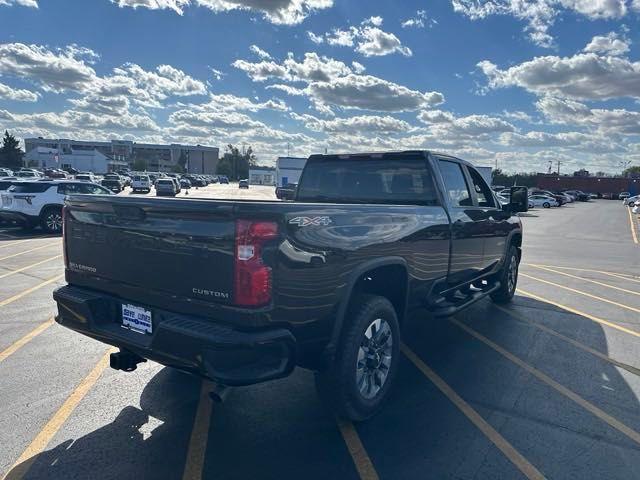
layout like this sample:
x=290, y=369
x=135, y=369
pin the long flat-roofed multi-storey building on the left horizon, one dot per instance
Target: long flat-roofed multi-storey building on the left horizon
x=119, y=153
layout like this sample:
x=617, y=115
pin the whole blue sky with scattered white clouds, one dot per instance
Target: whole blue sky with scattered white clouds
x=520, y=83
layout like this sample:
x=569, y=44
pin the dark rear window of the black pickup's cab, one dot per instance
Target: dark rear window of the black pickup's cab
x=396, y=180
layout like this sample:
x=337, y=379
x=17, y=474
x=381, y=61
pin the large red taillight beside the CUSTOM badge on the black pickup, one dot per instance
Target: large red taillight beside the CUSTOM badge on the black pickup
x=252, y=286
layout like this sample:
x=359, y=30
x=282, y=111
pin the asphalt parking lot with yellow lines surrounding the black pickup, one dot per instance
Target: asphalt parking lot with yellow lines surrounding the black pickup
x=546, y=387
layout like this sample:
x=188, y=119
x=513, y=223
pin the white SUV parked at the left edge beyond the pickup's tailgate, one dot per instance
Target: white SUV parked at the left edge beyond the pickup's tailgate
x=41, y=202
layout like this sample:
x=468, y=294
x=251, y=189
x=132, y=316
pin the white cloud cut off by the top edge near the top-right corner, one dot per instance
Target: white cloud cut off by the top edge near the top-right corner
x=540, y=15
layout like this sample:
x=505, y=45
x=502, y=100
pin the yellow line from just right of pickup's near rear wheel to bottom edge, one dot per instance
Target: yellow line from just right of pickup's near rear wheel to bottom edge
x=527, y=469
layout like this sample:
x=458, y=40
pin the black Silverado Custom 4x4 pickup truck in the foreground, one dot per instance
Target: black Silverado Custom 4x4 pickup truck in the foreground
x=242, y=292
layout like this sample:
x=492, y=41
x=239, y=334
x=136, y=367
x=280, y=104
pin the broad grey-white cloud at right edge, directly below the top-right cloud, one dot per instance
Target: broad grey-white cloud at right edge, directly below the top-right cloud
x=582, y=76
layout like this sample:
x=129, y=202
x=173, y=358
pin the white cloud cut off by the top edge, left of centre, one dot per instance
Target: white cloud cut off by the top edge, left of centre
x=283, y=12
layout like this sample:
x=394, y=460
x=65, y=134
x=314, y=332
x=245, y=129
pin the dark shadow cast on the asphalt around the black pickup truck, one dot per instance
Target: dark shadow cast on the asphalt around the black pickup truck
x=280, y=430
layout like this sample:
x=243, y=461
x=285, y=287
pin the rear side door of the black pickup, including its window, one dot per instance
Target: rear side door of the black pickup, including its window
x=467, y=245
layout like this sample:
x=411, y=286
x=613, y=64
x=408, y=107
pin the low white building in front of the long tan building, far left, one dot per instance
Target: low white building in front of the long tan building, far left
x=81, y=160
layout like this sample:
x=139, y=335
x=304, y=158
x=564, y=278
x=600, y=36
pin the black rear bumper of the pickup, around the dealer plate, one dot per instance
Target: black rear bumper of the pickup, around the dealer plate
x=190, y=343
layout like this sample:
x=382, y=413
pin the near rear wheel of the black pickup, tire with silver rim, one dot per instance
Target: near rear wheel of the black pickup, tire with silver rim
x=339, y=384
